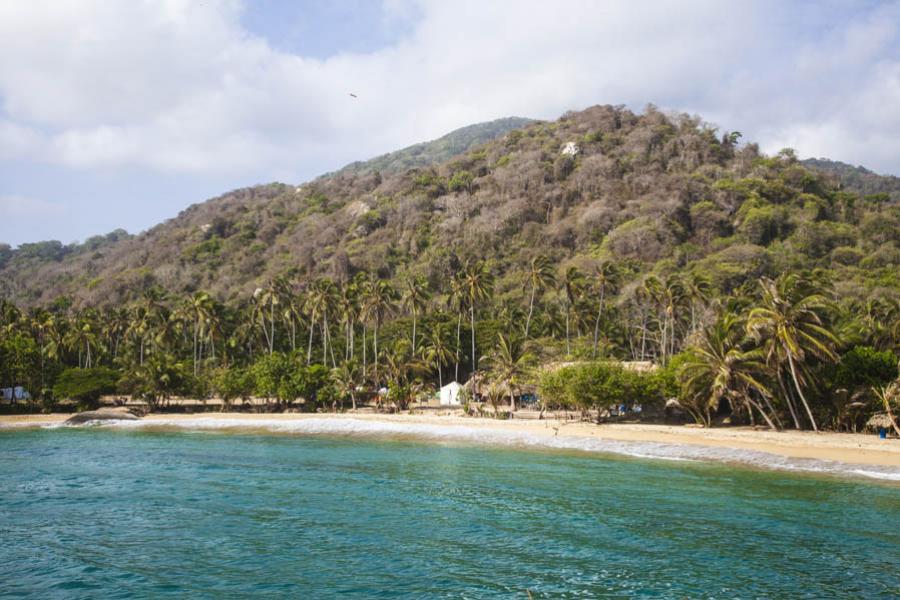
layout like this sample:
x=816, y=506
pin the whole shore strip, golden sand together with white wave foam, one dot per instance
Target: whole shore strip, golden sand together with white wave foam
x=849, y=453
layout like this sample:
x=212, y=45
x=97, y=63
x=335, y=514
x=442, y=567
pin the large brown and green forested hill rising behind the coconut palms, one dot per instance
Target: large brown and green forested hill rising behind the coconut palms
x=651, y=192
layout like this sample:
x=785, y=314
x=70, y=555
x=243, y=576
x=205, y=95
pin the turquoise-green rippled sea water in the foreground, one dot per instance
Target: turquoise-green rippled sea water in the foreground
x=138, y=513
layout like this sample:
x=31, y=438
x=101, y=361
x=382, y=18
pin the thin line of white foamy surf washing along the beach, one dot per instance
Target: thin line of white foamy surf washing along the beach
x=497, y=436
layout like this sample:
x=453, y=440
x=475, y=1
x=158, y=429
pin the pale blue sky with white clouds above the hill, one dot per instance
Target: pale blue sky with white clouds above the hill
x=121, y=113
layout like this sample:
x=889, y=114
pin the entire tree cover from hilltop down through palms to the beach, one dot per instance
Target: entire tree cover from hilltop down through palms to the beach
x=760, y=290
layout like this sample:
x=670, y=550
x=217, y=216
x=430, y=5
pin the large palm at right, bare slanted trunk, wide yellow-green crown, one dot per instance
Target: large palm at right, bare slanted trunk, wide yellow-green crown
x=791, y=324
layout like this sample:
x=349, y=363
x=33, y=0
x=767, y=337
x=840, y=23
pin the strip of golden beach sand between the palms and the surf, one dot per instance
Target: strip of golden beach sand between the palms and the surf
x=852, y=449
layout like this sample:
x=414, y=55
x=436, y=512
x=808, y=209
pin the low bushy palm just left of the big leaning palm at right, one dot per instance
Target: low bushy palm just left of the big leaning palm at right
x=720, y=368
